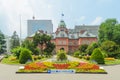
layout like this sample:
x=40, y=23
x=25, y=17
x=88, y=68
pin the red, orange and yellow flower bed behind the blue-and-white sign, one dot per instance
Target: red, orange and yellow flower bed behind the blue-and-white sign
x=46, y=66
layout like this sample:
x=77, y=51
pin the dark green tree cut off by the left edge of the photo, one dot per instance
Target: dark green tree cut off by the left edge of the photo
x=2, y=43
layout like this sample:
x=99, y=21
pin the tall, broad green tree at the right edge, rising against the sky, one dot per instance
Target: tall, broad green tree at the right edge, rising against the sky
x=109, y=30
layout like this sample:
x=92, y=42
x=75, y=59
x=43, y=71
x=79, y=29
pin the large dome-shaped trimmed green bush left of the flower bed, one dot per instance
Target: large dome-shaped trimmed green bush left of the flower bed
x=25, y=55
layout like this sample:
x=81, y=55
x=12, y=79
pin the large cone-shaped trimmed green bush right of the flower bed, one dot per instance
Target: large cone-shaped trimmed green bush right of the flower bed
x=97, y=56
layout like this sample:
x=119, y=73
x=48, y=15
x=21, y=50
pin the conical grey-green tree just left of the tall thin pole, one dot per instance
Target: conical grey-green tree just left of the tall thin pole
x=14, y=40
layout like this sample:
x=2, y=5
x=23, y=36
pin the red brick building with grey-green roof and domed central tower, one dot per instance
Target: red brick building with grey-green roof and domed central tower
x=70, y=41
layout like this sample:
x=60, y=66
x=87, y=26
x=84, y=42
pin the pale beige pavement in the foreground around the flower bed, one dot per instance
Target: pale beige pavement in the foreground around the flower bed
x=7, y=72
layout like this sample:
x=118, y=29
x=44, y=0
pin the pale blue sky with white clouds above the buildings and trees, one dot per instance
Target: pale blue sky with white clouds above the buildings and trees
x=76, y=12
